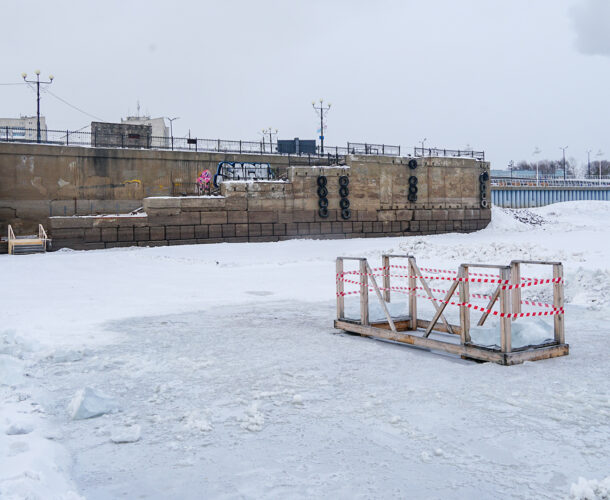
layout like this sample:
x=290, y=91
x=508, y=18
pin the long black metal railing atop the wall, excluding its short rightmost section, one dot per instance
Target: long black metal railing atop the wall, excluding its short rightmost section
x=136, y=140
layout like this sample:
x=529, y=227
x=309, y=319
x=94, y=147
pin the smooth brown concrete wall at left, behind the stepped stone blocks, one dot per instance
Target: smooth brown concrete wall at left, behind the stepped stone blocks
x=38, y=181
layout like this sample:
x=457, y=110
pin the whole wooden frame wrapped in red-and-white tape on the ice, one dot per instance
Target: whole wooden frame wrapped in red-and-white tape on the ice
x=416, y=331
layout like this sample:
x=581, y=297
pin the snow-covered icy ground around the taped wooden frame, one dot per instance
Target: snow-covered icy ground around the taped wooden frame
x=222, y=376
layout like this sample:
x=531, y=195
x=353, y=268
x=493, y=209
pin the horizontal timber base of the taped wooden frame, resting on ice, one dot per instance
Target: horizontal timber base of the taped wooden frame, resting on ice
x=382, y=330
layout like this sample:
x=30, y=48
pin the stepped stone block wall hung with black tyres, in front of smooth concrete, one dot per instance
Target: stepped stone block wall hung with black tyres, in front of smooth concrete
x=448, y=201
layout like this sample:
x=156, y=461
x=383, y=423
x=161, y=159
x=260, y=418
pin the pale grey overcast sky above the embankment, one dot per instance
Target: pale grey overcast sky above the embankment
x=501, y=76
